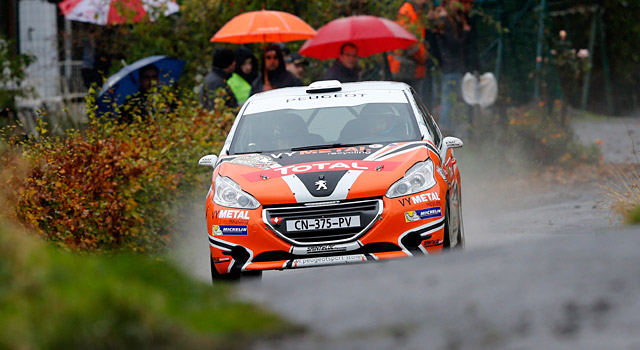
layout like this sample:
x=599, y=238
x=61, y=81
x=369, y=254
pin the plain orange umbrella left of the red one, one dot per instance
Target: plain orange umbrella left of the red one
x=264, y=26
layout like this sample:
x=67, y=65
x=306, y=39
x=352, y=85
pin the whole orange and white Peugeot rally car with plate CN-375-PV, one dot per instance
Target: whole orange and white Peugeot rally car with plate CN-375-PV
x=331, y=174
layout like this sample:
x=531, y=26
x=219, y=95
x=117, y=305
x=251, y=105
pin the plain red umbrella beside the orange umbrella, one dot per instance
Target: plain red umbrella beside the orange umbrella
x=370, y=34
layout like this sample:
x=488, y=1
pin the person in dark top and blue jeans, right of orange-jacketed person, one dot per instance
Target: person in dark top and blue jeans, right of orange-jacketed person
x=452, y=36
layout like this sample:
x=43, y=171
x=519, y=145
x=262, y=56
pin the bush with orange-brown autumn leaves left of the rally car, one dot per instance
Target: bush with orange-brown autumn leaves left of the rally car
x=118, y=186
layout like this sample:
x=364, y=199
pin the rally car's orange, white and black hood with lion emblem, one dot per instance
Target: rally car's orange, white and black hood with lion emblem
x=323, y=175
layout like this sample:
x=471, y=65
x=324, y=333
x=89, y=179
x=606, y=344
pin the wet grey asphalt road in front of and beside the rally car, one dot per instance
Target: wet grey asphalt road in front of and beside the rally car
x=542, y=270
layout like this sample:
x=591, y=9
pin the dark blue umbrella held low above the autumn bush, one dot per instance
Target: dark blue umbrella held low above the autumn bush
x=125, y=83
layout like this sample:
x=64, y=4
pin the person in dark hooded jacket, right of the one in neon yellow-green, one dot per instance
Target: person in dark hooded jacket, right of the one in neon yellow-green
x=274, y=74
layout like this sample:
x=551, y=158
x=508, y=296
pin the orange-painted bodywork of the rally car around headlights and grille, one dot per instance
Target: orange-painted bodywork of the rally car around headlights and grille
x=400, y=217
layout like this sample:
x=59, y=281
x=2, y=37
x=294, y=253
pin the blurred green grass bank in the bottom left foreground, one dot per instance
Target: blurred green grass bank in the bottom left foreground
x=55, y=299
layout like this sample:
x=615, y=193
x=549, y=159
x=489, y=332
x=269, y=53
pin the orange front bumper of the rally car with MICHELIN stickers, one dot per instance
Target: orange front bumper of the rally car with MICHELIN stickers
x=245, y=240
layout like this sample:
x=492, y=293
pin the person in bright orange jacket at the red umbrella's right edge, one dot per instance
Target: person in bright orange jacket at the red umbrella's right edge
x=410, y=65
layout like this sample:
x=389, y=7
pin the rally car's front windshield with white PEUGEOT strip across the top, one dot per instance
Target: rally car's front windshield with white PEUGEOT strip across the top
x=317, y=125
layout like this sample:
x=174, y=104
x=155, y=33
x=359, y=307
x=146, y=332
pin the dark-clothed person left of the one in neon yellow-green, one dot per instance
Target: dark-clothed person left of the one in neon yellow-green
x=224, y=63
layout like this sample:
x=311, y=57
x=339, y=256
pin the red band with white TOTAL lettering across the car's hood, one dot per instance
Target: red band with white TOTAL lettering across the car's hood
x=361, y=165
